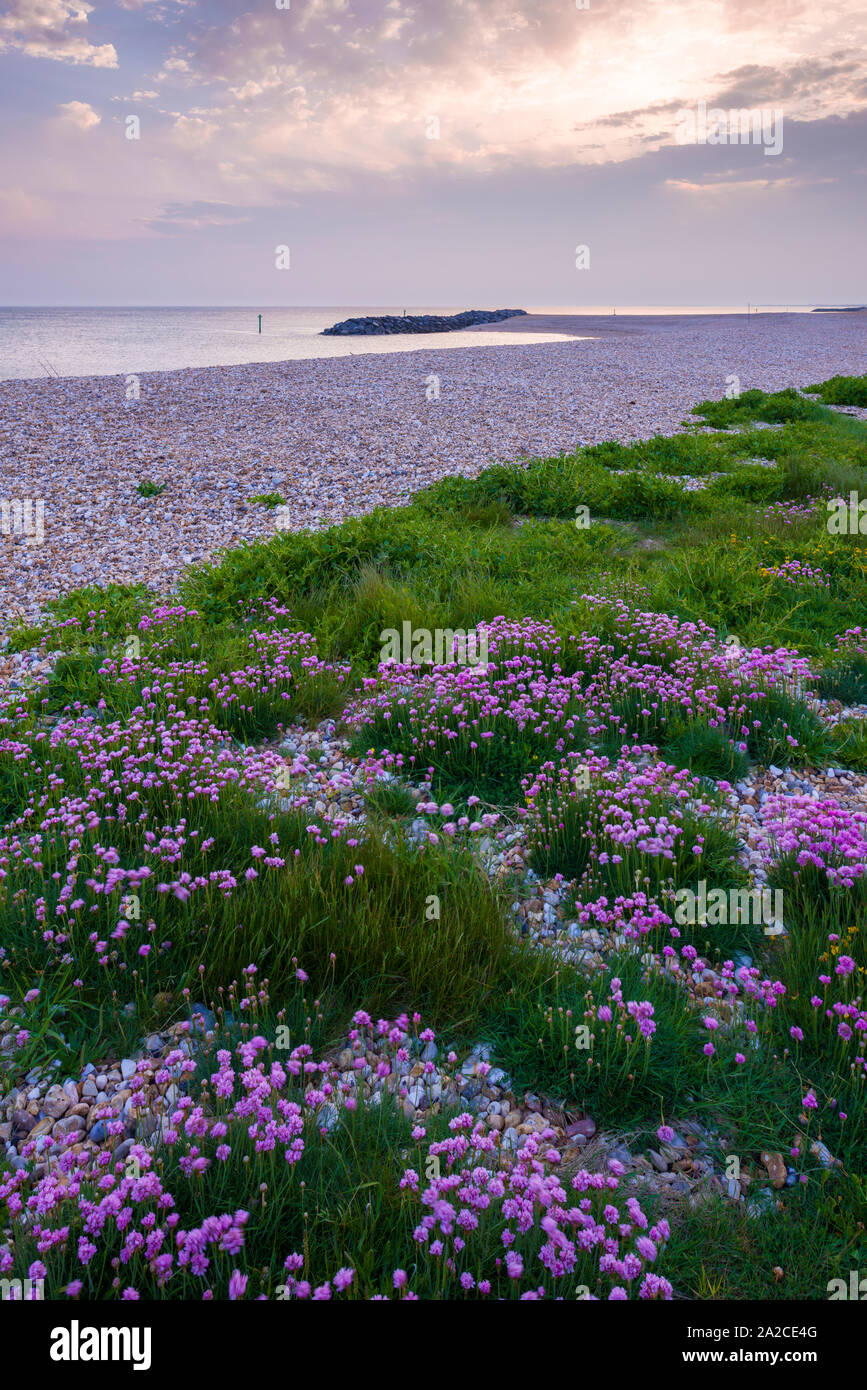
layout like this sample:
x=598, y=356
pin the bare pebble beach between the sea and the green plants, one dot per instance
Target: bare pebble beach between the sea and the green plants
x=341, y=436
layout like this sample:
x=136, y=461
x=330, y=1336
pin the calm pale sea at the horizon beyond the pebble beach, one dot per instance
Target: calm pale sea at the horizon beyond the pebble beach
x=104, y=343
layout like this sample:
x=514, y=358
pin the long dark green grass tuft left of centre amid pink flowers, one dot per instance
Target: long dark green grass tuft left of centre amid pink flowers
x=390, y=953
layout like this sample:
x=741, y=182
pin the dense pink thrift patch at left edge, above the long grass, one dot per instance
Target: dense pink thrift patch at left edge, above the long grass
x=113, y=815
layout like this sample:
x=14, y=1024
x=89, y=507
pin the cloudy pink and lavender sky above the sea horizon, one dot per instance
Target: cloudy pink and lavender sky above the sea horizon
x=469, y=154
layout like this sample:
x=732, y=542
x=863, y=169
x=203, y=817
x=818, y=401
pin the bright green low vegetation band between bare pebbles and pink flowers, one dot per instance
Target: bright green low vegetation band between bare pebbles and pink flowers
x=455, y=557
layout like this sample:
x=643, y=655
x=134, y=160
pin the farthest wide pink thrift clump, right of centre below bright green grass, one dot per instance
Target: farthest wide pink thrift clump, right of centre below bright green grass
x=650, y=673
